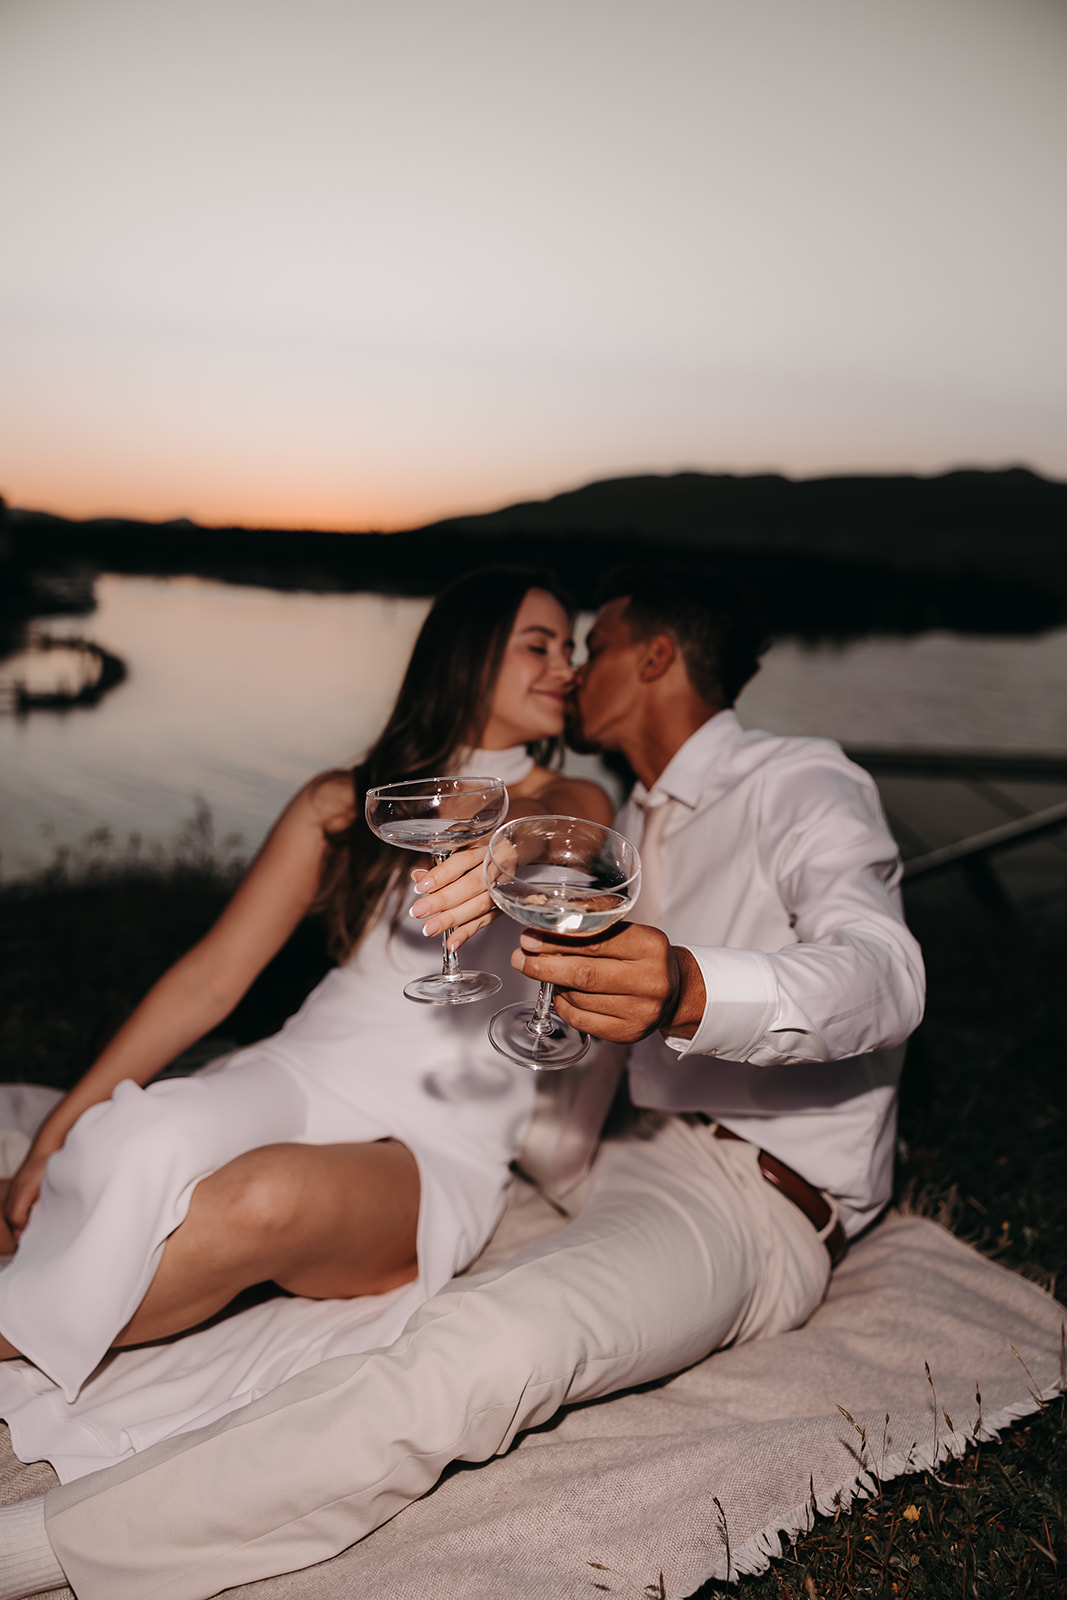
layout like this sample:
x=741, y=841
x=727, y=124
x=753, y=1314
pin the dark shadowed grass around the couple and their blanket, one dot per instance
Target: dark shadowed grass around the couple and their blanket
x=981, y=1148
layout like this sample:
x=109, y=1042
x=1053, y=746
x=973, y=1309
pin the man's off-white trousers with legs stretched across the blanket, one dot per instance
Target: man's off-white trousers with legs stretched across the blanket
x=682, y=1247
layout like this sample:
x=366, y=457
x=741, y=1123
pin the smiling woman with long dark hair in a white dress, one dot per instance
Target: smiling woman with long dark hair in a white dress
x=364, y=1151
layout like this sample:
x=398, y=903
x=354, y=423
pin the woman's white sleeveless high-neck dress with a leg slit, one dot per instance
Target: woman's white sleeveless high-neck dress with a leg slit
x=358, y=1062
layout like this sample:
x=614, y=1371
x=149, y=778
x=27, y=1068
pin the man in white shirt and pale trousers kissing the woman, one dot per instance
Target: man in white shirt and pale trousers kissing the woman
x=767, y=1026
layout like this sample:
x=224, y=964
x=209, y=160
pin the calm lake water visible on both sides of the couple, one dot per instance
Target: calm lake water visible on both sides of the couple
x=238, y=695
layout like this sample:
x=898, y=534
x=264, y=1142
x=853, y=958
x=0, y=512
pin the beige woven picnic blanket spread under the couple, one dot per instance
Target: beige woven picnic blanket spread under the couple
x=697, y=1478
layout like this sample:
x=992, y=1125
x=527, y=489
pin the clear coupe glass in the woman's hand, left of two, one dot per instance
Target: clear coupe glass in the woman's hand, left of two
x=438, y=817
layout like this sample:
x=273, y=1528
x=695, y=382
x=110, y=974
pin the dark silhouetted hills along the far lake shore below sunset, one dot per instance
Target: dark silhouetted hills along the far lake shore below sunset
x=833, y=558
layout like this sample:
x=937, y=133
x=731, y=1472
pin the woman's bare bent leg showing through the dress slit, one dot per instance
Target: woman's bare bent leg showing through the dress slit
x=329, y=1222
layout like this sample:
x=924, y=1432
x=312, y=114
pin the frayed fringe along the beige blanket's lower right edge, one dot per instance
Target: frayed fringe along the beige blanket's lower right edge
x=762, y=1548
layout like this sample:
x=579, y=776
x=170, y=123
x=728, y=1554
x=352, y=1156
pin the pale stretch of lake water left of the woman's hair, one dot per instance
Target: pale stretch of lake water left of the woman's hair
x=236, y=695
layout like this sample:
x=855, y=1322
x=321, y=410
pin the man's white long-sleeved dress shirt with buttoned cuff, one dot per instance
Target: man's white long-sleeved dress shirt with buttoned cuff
x=781, y=878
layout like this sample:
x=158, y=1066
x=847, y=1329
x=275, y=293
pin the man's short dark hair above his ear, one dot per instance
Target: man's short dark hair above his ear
x=714, y=623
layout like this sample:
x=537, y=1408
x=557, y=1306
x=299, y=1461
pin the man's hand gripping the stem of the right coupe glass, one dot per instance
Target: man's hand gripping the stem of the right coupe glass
x=621, y=986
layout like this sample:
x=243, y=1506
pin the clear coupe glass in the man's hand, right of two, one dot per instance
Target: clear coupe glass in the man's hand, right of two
x=565, y=876
